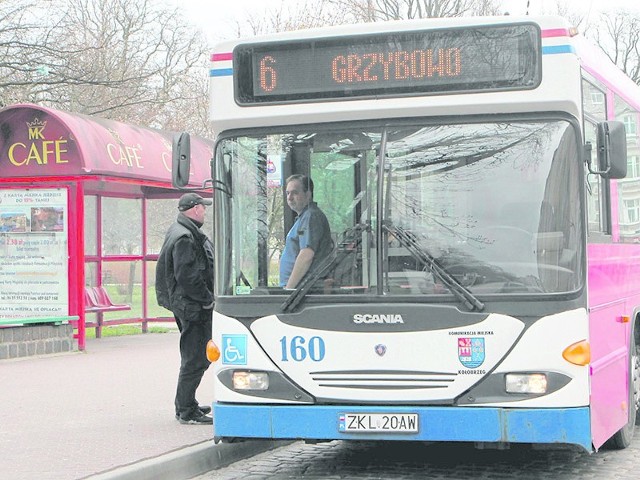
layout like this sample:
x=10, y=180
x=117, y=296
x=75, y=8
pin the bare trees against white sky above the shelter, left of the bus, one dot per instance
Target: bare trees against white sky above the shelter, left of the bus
x=136, y=61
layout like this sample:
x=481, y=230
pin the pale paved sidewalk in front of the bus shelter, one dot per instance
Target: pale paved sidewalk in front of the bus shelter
x=74, y=415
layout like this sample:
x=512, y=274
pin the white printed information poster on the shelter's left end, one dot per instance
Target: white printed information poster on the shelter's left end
x=33, y=253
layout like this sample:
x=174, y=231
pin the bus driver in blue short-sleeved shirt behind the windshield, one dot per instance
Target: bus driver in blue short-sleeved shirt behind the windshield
x=309, y=240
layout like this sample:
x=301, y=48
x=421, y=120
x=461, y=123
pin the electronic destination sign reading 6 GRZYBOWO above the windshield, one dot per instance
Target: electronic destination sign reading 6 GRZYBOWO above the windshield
x=474, y=59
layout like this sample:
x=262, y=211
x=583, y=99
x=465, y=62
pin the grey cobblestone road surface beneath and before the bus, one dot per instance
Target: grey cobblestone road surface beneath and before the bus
x=400, y=460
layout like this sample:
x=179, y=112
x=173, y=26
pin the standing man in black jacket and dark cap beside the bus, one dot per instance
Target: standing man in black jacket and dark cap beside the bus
x=184, y=285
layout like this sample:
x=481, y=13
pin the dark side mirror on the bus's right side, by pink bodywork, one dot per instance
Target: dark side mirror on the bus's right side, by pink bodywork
x=612, y=150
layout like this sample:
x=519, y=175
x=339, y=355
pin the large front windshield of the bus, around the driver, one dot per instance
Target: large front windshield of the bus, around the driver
x=487, y=205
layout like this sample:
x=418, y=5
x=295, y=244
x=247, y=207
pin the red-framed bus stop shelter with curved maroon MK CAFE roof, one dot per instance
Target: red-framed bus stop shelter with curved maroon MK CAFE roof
x=84, y=206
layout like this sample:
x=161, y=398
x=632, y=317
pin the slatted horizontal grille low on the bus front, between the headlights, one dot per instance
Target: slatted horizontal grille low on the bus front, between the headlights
x=383, y=379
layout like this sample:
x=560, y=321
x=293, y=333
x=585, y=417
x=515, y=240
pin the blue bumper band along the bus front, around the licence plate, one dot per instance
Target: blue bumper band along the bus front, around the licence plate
x=459, y=424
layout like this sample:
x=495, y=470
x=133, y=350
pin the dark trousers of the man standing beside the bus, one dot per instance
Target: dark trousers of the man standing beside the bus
x=194, y=335
